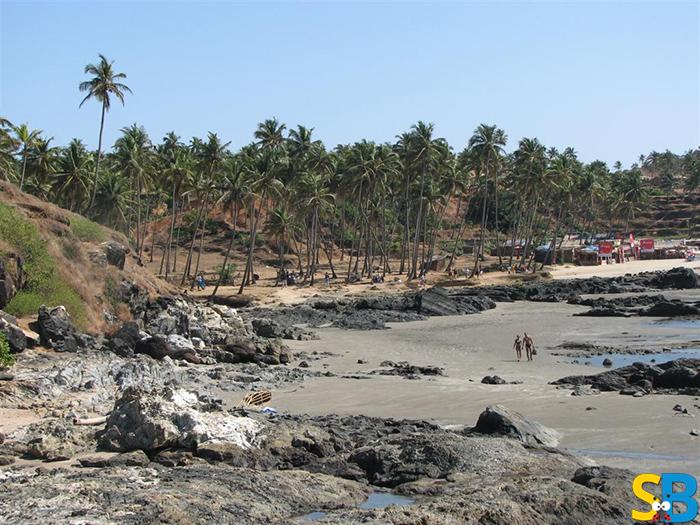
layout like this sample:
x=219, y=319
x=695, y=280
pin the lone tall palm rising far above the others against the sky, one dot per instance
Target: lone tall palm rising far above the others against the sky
x=104, y=84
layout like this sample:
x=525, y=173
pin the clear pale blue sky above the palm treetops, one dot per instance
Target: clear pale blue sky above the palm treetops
x=612, y=79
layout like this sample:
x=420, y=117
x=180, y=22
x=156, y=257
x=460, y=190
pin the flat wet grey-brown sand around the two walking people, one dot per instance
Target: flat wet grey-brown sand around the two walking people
x=643, y=434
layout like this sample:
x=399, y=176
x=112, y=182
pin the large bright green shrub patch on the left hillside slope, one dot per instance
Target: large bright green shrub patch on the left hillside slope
x=44, y=284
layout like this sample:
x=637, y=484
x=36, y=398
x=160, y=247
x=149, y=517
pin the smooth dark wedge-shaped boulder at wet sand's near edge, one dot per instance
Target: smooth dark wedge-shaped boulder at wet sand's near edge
x=497, y=419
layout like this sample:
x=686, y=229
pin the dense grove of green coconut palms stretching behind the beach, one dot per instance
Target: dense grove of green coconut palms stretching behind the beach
x=385, y=208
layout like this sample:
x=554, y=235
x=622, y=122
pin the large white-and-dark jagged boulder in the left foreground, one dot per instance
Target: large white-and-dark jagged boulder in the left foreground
x=170, y=418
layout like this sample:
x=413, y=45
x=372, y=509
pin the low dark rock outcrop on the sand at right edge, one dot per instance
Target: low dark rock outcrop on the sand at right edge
x=681, y=376
